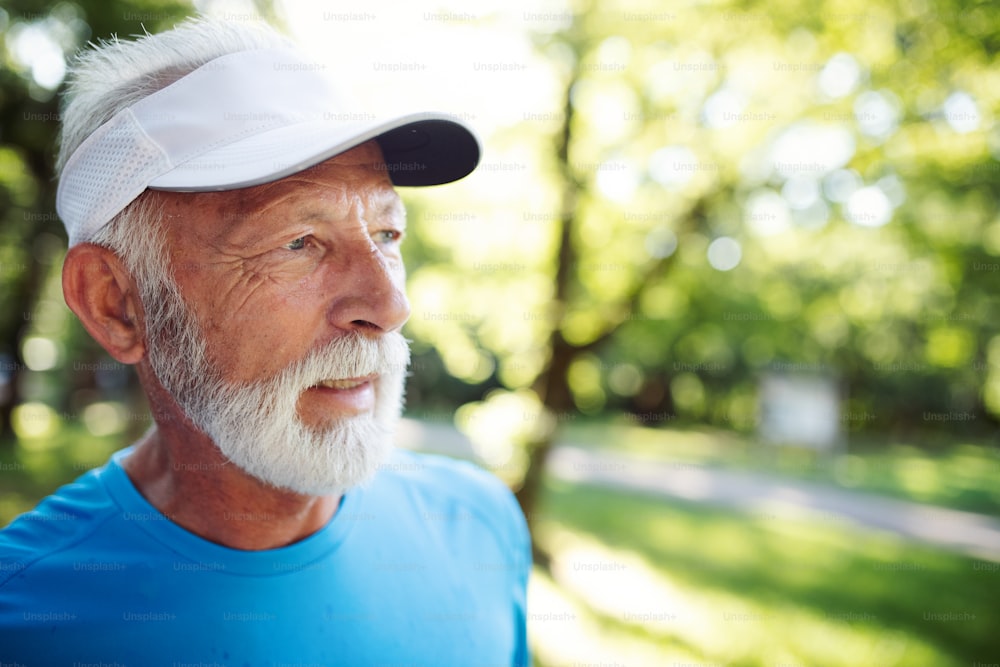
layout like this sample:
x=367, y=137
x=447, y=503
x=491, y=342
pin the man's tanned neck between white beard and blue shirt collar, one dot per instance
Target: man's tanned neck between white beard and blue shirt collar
x=181, y=472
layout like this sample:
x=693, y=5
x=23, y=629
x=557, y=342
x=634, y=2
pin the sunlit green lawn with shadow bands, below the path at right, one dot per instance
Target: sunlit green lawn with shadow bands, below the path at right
x=638, y=580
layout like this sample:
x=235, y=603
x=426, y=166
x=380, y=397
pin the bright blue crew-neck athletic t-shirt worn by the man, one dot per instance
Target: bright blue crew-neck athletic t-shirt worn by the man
x=427, y=565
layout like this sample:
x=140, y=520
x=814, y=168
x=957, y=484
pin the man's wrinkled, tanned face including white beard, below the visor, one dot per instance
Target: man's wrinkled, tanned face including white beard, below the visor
x=286, y=350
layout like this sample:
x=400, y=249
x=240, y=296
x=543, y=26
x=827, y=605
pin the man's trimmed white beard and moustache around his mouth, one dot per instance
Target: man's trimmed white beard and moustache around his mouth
x=256, y=425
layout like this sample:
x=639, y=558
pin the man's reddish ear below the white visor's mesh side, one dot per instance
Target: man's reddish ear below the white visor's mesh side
x=100, y=290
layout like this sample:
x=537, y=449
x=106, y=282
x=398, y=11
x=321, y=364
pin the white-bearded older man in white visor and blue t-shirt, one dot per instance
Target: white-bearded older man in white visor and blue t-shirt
x=235, y=234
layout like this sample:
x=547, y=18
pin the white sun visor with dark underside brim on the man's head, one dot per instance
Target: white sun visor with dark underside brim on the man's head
x=244, y=119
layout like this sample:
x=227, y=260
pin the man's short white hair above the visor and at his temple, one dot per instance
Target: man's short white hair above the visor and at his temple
x=114, y=75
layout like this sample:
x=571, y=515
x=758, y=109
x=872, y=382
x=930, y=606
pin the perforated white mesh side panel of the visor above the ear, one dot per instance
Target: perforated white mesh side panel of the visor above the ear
x=107, y=171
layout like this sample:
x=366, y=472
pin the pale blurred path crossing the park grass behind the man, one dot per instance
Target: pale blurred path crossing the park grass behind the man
x=758, y=494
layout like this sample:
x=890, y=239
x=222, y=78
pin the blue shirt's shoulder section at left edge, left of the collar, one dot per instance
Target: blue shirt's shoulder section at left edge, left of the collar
x=59, y=522
